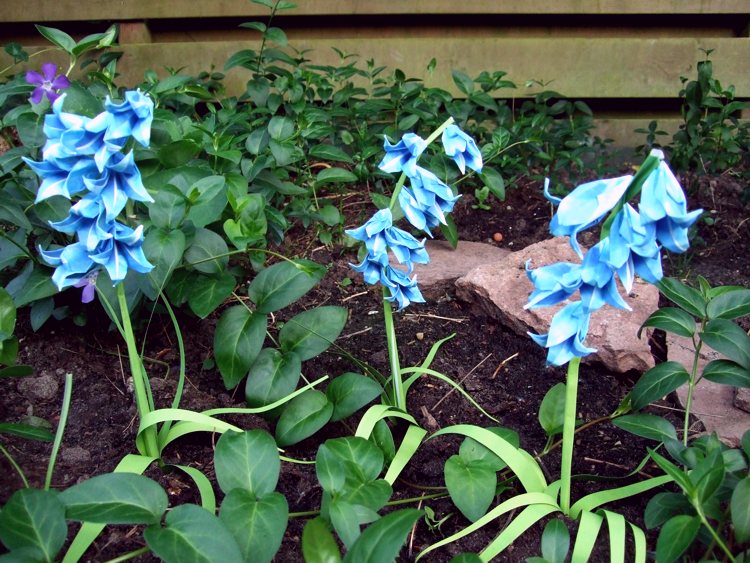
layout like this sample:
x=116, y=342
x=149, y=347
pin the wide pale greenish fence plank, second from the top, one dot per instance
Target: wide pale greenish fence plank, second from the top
x=576, y=67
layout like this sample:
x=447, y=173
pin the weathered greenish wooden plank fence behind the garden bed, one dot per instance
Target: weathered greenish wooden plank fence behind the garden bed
x=624, y=57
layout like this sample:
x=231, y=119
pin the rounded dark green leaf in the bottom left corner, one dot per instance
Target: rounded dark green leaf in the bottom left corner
x=34, y=519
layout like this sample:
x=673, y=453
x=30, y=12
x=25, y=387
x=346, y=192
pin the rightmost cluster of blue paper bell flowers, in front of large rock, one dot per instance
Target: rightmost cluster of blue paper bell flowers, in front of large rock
x=632, y=246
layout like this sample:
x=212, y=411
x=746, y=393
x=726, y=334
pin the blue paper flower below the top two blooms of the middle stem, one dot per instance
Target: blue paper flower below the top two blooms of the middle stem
x=426, y=201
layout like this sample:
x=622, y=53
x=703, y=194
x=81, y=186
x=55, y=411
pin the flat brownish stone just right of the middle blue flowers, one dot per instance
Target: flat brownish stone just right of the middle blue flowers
x=447, y=265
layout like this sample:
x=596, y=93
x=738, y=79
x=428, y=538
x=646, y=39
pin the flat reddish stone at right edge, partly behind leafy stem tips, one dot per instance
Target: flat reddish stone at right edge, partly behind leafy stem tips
x=713, y=403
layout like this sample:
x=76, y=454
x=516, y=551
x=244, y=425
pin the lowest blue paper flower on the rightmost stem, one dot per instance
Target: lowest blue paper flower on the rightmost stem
x=566, y=335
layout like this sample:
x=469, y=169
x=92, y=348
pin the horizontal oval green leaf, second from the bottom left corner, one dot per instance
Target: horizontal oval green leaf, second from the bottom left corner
x=115, y=498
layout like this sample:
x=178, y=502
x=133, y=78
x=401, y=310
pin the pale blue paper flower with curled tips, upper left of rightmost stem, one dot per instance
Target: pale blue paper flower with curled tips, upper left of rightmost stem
x=585, y=206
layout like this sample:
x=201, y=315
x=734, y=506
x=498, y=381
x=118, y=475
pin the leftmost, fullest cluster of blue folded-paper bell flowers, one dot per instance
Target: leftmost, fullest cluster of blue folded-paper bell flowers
x=83, y=161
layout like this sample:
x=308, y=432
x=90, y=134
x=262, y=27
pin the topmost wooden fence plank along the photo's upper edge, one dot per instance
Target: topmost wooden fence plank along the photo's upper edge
x=86, y=10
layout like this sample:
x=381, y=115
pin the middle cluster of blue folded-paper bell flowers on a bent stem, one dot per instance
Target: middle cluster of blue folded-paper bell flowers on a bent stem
x=424, y=203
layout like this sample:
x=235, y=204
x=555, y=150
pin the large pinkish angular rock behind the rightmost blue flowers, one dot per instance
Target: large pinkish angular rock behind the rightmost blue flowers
x=501, y=289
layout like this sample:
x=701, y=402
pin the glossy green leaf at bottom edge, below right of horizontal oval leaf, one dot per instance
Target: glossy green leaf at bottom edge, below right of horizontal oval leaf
x=192, y=533
